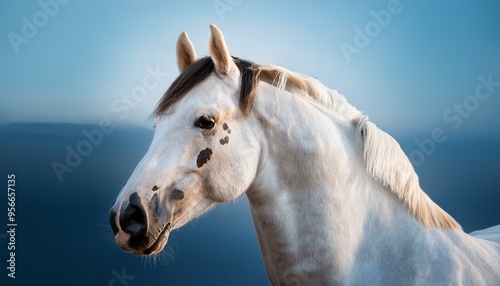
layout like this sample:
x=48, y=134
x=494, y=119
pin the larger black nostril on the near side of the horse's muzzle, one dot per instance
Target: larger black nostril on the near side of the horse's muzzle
x=134, y=218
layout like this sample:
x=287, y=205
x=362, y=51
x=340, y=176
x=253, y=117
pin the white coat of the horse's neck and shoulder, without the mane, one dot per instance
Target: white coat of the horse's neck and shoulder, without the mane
x=326, y=220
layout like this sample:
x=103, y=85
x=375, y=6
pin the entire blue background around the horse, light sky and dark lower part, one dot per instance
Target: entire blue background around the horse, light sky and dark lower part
x=67, y=76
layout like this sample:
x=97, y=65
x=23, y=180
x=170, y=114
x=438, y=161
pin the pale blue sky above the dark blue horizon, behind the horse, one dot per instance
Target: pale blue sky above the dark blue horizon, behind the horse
x=87, y=56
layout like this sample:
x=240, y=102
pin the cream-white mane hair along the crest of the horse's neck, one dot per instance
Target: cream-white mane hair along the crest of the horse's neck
x=384, y=158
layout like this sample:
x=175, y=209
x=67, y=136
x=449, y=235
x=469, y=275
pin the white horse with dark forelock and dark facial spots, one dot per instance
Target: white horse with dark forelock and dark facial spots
x=334, y=199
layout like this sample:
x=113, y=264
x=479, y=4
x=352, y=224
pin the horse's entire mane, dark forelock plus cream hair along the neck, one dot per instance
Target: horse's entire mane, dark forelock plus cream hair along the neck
x=385, y=160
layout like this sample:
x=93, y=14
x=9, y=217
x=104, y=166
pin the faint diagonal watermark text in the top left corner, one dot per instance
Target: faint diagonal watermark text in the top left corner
x=31, y=26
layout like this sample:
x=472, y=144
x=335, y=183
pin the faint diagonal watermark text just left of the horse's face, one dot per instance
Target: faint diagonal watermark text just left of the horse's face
x=94, y=137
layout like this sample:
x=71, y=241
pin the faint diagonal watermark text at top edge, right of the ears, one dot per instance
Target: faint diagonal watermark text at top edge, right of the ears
x=362, y=37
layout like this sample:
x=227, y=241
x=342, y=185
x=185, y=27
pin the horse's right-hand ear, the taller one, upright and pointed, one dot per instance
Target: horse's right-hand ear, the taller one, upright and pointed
x=218, y=51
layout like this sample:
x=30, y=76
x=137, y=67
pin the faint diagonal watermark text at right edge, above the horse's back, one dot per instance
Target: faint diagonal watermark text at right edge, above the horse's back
x=454, y=116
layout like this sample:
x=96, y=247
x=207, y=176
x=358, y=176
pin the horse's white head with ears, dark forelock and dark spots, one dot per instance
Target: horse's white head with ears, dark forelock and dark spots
x=203, y=151
